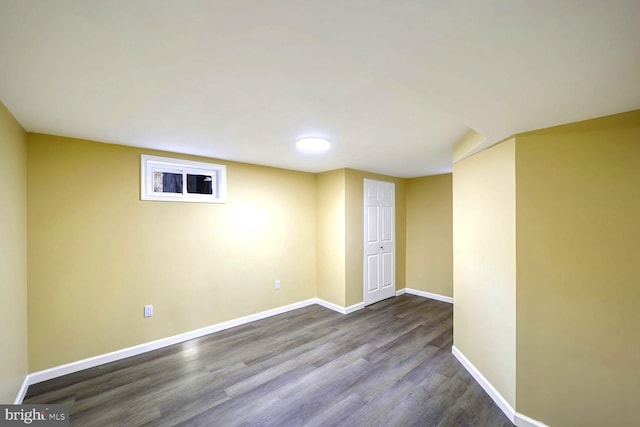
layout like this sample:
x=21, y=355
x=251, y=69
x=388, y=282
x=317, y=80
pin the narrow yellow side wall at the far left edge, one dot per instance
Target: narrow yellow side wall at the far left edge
x=13, y=256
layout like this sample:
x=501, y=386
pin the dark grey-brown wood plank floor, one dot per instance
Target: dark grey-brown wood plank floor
x=389, y=364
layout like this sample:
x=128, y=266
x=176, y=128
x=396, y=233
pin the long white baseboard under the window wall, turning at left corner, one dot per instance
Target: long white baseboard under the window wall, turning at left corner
x=91, y=362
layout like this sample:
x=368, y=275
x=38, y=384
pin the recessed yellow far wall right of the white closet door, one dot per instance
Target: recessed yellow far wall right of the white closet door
x=429, y=233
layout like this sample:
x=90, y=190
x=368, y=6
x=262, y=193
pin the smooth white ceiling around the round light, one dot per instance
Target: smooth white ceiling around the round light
x=393, y=84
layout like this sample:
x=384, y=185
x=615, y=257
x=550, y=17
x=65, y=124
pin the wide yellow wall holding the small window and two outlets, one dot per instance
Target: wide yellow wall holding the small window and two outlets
x=97, y=253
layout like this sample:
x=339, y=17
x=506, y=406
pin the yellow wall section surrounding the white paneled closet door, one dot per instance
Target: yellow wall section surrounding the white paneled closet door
x=354, y=232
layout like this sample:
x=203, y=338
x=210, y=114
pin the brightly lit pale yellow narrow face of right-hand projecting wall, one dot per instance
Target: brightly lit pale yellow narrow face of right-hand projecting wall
x=484, y=264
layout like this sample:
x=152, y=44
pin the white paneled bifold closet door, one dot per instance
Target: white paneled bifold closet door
x=379, y=241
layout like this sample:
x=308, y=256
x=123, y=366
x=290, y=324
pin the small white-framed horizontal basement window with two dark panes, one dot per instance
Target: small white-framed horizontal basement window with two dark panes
x=176, y=180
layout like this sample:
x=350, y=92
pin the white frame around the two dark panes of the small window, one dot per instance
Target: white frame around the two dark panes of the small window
x=150, y=164
